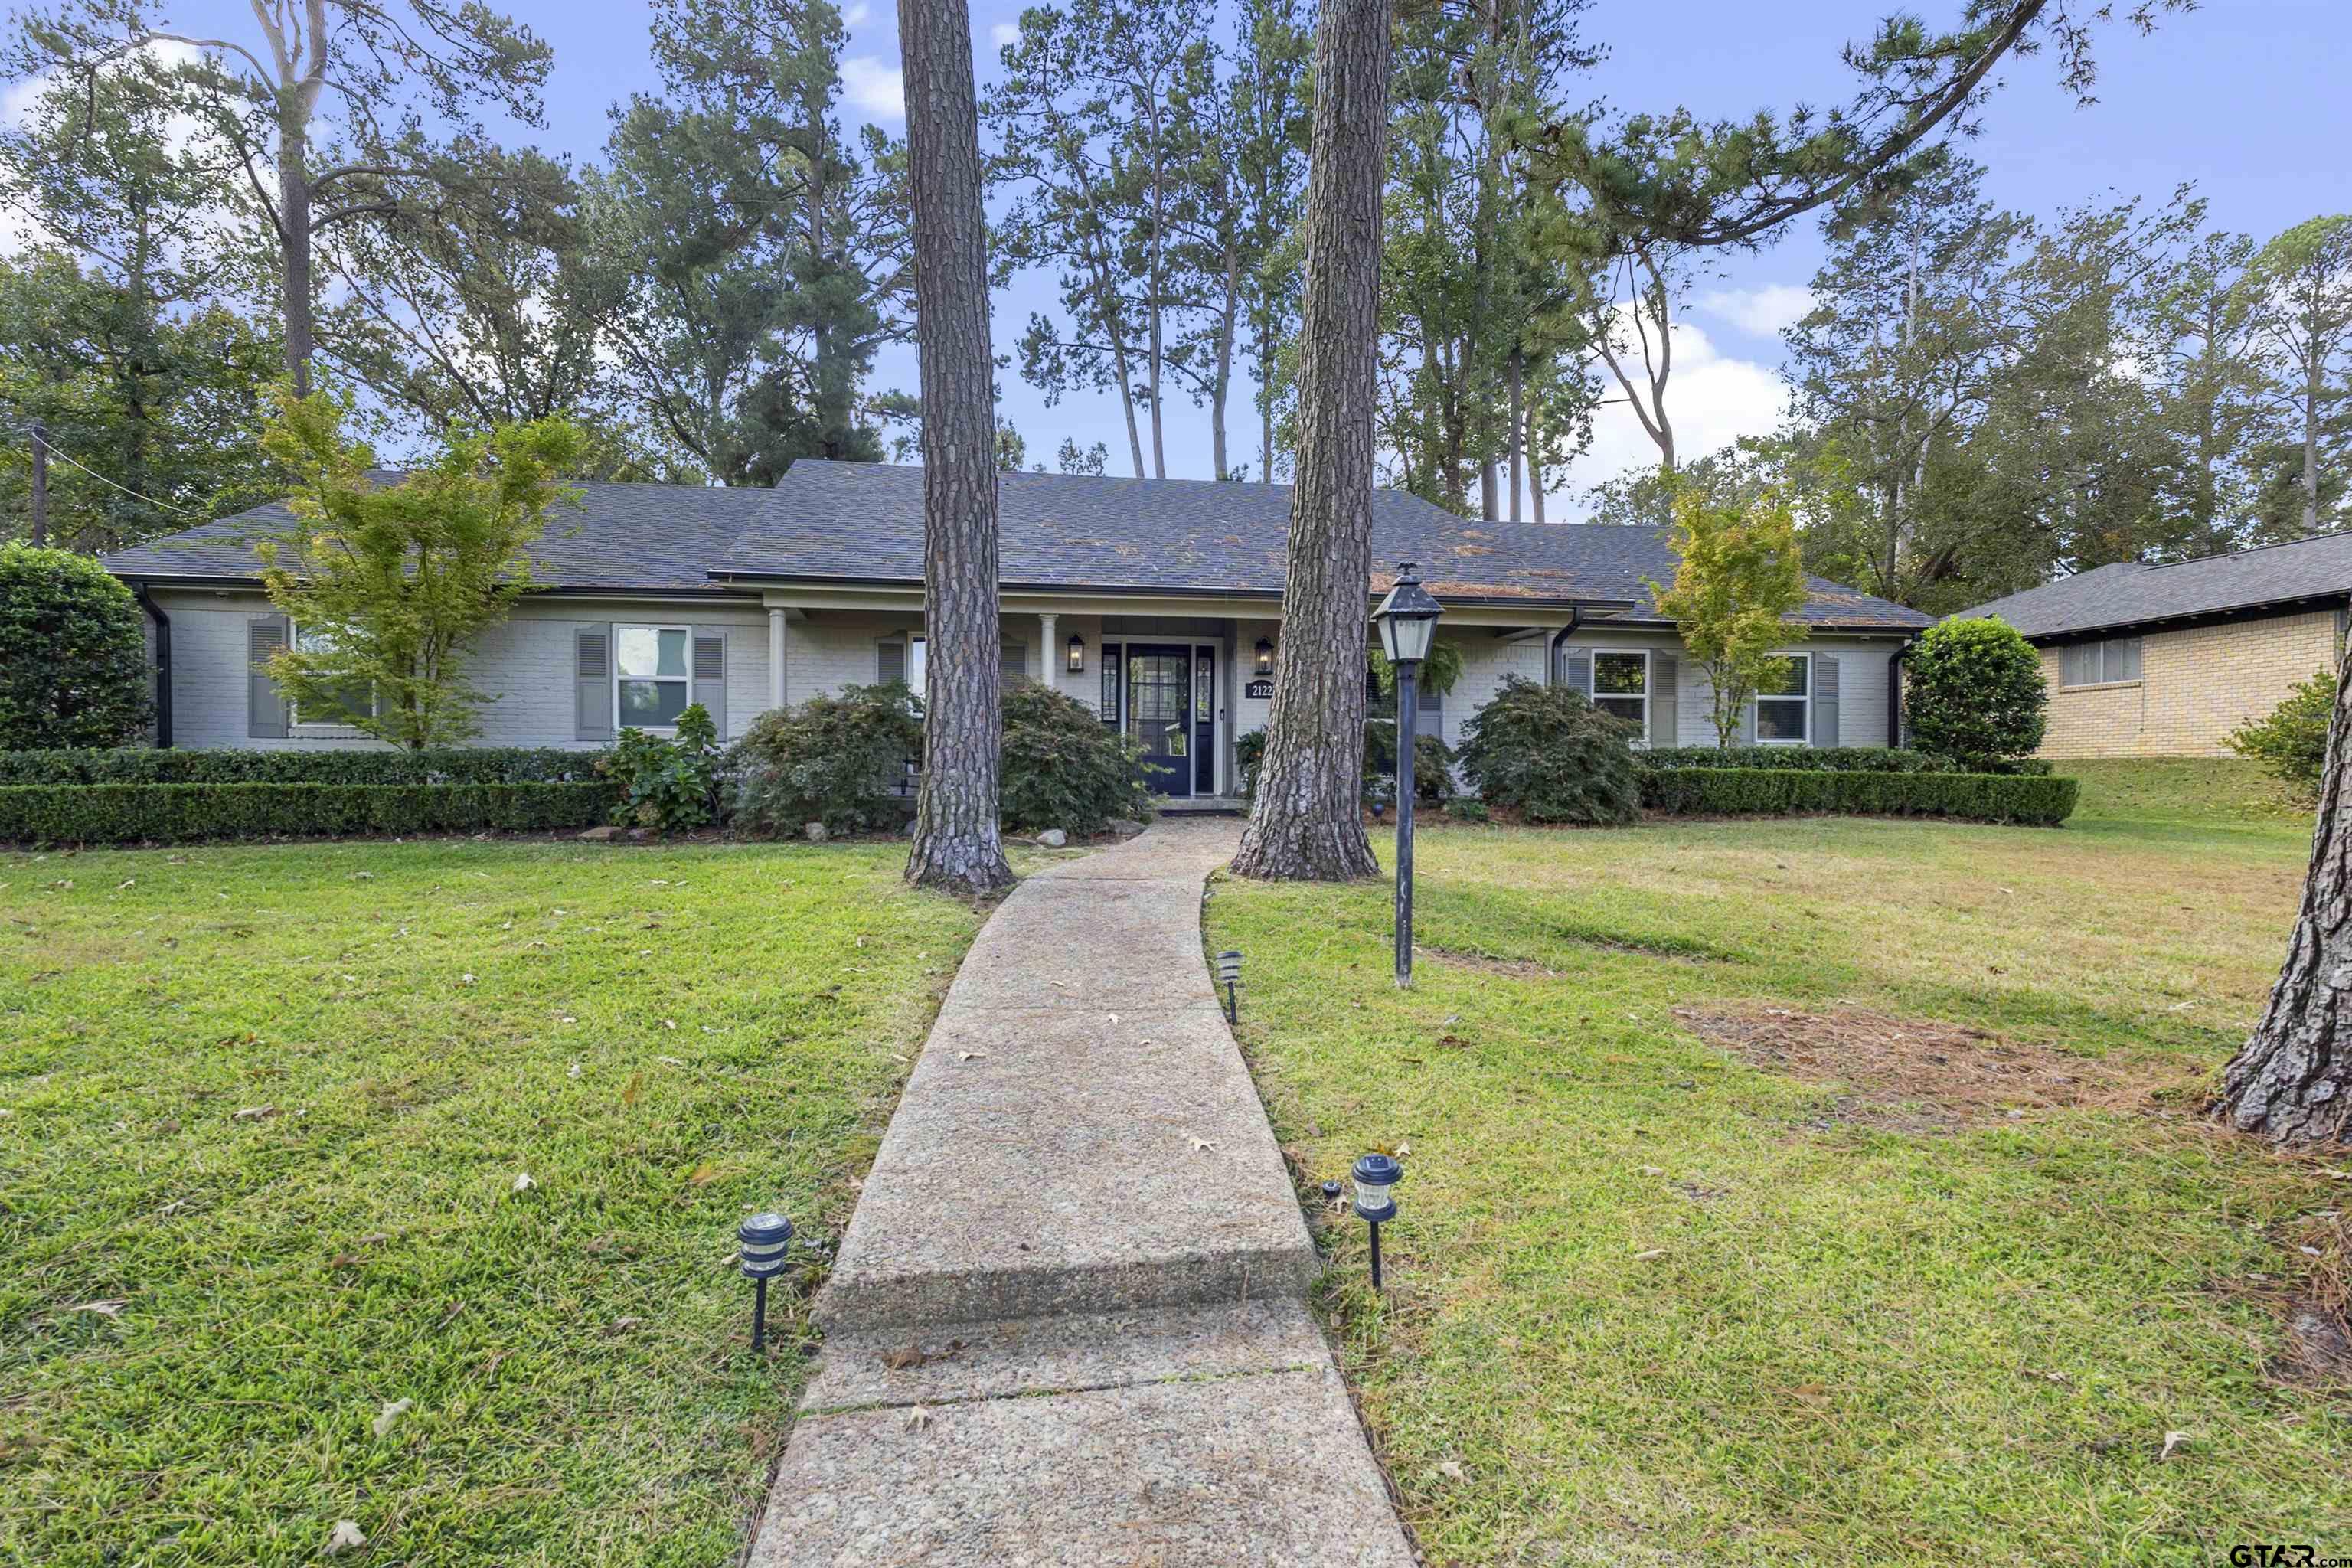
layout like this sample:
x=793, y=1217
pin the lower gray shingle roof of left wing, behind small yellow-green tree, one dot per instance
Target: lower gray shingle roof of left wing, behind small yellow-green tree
x=648, y=537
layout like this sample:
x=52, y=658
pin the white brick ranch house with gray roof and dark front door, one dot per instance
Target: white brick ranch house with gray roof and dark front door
x=1151, y=601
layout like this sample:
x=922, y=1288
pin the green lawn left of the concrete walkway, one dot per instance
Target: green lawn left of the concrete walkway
x=279, y=1104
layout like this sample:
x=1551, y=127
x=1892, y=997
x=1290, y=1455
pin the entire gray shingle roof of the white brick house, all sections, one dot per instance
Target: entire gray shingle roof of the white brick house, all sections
x=862, y=523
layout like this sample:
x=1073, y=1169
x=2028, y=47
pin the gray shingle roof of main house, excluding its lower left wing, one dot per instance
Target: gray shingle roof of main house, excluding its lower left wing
x=862, y=523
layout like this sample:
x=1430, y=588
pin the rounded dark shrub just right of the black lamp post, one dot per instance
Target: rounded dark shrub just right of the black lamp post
x=1553, y=758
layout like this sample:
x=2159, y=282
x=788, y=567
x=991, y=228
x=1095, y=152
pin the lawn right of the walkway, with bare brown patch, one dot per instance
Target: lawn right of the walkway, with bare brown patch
x=1657, y=1306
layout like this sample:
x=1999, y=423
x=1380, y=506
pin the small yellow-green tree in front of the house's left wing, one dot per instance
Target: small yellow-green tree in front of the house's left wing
x=389, y=584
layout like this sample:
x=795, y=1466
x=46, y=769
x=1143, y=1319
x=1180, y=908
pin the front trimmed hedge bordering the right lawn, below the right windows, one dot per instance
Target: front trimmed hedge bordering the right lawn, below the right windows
x=1979, y=798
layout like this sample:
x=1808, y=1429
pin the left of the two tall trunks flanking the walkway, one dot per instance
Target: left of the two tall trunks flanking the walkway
x=956, y=815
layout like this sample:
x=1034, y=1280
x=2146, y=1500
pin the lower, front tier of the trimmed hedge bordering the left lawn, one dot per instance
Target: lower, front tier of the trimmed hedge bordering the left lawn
x=178, y=812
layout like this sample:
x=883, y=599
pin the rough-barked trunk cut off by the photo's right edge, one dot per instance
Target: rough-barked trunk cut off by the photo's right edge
x=2292, y=1083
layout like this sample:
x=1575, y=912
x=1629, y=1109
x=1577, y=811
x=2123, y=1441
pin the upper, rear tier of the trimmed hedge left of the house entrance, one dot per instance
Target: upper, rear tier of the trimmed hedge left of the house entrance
x=488, y=765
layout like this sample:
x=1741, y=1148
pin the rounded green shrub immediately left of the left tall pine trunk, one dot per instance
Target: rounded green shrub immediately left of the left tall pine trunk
x=831, y=760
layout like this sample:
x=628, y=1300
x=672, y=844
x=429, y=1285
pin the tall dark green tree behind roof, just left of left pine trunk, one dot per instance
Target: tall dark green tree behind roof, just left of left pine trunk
x=749, y=257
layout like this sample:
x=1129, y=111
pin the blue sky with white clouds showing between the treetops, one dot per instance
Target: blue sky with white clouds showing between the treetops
x=2243, y=98
